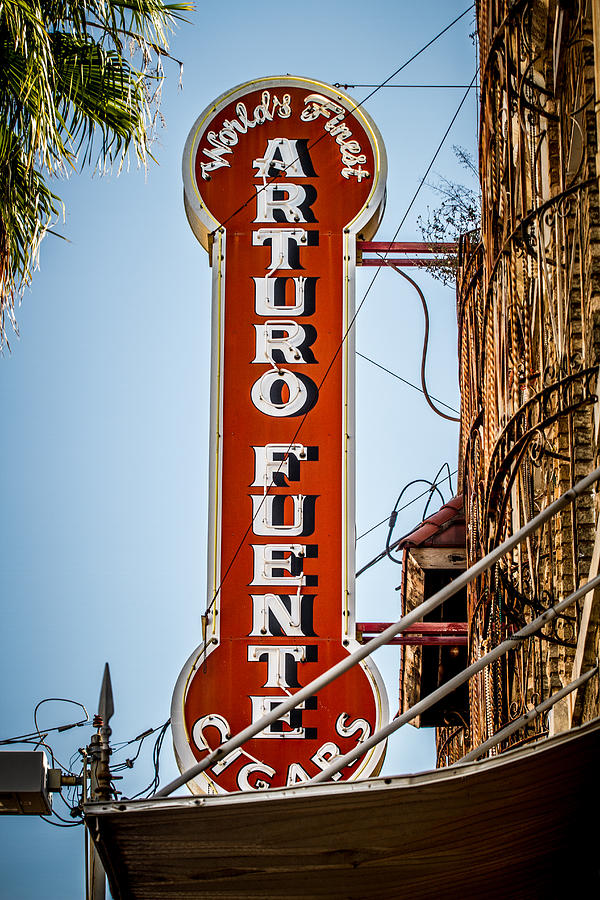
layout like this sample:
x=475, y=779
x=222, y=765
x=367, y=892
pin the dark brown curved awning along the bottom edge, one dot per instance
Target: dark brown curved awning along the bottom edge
x=520, y=825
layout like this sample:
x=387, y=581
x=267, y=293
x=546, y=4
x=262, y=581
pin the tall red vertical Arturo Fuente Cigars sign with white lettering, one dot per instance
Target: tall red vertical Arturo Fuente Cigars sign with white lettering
x=280, y=177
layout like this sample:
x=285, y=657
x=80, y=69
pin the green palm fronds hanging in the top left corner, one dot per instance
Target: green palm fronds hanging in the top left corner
x=69, y=90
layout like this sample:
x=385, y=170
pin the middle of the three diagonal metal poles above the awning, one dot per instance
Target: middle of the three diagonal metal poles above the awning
x=449, y=686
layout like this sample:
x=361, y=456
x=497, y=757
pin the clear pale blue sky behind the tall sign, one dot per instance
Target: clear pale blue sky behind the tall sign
x=104, y=397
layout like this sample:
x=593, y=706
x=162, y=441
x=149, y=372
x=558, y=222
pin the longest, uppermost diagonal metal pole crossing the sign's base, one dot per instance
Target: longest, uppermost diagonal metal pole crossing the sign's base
x=414, y=616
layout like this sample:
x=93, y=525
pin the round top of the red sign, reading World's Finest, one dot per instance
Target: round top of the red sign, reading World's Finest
x=315, y=135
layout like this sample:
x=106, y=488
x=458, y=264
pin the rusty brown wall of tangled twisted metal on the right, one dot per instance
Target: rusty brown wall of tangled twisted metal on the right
x=529, y=333
